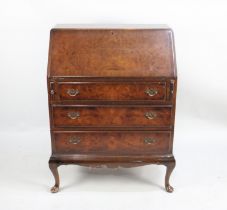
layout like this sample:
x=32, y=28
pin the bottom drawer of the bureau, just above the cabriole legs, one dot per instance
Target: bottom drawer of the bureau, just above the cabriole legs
x=112, y=142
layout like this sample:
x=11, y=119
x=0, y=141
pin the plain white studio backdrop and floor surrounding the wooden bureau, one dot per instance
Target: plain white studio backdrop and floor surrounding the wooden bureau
x=200, y=144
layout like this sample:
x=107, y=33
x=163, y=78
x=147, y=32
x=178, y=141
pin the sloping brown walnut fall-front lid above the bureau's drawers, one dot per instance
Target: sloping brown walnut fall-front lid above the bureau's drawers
x=111, y=53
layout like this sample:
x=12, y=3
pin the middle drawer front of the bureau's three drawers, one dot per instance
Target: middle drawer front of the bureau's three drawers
x=104, y=116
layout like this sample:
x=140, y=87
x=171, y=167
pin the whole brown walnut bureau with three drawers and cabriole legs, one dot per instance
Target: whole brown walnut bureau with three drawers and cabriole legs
x=112, y=94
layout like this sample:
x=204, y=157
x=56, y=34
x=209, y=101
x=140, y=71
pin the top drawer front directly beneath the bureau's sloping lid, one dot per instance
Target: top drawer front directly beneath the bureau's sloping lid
x=112, y=91
